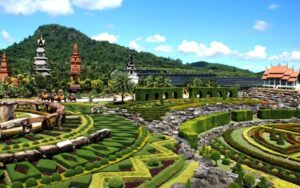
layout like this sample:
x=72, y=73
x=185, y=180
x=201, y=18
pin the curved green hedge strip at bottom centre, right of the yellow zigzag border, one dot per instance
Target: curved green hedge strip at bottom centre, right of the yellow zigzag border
x=165, y=175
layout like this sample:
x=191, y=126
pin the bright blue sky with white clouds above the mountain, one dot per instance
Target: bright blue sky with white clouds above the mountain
x=249, y=34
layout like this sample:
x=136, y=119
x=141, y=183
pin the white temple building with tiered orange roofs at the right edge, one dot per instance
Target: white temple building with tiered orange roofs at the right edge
x=281, y=77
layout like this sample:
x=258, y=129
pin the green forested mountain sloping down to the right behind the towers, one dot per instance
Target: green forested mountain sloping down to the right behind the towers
x=98, y=58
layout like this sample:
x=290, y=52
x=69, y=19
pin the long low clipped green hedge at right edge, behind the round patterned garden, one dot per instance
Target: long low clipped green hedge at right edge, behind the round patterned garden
x=278, y=113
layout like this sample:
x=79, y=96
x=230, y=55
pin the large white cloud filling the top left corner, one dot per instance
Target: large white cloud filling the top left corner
x=28, y=7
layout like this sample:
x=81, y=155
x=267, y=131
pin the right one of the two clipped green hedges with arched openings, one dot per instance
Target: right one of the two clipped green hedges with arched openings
x=204, y=92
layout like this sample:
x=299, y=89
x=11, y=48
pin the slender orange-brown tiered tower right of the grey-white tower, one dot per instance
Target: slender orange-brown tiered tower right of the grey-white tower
x=75, y=62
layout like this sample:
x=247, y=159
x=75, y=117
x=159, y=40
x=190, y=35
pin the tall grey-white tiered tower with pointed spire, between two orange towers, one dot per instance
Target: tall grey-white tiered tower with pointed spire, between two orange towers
x=40, y=60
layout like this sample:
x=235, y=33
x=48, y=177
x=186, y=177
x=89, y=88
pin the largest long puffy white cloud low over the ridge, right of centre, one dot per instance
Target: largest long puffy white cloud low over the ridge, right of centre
x=201, y=50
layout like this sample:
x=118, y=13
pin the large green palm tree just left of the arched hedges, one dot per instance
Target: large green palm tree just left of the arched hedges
x=122, y=84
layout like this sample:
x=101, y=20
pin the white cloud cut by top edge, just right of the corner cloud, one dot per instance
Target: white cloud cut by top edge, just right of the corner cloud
x=97, y=4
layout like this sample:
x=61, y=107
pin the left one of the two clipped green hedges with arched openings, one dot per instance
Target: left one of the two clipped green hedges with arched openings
x=145, y=94
